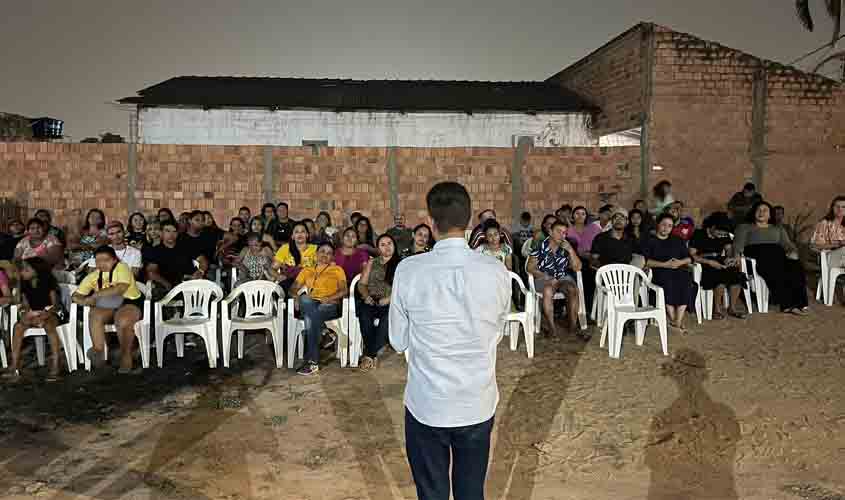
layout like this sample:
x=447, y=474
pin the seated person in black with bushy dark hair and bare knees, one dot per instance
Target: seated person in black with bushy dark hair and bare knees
x=711, y=247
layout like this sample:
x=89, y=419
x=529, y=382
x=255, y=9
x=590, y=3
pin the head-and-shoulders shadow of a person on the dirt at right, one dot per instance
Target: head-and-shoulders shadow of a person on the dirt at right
x=692, y=443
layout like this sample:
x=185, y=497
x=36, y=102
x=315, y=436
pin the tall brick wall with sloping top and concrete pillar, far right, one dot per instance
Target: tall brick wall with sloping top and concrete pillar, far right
x=702, y=126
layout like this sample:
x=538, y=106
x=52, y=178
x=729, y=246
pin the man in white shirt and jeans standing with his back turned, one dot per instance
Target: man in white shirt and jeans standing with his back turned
x=448, y=310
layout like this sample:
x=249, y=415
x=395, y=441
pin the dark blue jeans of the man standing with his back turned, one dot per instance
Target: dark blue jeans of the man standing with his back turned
x=428, y=454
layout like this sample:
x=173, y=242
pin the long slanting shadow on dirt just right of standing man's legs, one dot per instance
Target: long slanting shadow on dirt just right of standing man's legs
x=528, y=418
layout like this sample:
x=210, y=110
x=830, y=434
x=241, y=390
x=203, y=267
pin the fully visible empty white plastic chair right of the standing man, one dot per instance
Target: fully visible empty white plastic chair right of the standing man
x=620, y=284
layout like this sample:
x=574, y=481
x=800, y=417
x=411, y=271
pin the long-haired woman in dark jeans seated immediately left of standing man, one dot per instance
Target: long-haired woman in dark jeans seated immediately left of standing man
x=375, y=287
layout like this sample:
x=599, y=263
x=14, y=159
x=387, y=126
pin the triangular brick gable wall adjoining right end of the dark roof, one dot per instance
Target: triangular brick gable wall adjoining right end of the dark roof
x=612, y=78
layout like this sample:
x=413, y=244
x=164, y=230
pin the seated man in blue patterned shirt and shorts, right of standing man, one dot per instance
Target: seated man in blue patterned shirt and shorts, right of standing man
x=551, y=264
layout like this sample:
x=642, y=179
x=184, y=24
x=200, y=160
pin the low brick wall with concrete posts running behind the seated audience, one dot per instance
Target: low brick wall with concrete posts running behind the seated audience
x=69, y=179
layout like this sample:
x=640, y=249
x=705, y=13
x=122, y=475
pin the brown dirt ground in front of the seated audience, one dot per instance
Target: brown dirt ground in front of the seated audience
x=743, y=409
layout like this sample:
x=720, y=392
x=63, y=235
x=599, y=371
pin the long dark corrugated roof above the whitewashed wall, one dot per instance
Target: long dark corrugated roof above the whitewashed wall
x=348, y=95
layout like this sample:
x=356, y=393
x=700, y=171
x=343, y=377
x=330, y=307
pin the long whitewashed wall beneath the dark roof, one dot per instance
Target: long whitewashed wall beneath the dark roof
x=366, y=129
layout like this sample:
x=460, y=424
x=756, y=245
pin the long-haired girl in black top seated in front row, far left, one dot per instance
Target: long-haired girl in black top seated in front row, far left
x=41, y=307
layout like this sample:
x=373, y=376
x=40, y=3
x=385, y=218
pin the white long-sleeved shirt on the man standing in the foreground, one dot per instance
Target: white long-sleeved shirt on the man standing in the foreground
x=448, y=309
